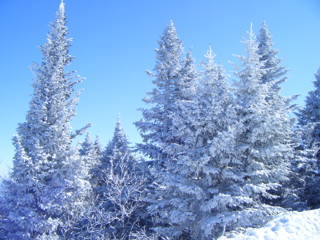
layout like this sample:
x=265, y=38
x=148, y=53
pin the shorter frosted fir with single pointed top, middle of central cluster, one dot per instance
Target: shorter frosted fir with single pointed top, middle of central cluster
x=215, y=165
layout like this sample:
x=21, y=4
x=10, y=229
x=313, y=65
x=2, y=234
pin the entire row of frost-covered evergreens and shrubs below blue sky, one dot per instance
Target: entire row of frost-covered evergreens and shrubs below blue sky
x=216, y=157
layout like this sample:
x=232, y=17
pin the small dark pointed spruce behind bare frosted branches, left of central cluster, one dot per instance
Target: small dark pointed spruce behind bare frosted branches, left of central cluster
x=120, y=193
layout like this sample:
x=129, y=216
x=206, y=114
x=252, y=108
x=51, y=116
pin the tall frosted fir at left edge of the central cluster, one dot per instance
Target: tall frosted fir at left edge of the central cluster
x=156, y=126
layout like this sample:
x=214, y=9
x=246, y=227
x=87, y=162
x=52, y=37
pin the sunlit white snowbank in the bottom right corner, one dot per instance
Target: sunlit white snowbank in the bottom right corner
x=287, y=226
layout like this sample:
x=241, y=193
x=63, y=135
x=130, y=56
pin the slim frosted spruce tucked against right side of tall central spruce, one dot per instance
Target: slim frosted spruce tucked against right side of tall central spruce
x=168, y=177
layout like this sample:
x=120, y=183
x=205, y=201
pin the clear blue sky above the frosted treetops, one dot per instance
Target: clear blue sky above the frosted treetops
x=114, y=42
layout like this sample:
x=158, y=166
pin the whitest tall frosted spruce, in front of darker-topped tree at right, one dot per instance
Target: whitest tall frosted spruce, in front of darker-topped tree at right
x=263, y=140
